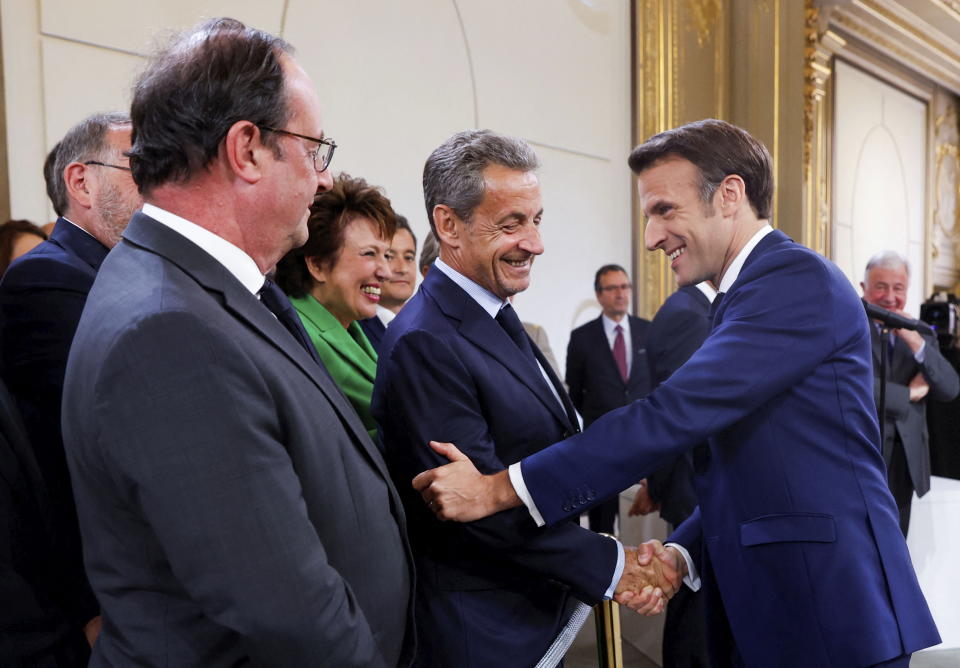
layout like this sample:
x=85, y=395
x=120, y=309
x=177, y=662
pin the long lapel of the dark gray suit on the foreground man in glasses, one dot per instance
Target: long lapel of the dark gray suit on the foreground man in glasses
x=214, y=277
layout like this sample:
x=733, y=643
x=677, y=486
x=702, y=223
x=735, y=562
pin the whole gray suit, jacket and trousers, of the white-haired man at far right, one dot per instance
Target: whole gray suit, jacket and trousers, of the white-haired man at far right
x=906, y=449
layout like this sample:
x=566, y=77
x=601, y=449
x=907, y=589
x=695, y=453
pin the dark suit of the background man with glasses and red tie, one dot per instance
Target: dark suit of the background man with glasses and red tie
x=596, y=386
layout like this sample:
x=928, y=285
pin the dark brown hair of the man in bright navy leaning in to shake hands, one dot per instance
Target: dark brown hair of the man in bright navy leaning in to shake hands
x=718, y=149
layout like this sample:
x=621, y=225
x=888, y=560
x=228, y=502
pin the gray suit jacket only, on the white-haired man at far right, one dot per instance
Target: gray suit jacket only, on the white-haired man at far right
x=905, y=418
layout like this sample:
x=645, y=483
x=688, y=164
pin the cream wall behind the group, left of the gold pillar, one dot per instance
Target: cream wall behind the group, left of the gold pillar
x=396, y=79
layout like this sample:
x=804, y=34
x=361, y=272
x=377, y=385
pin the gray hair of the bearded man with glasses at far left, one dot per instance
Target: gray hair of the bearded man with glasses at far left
x=87, y=140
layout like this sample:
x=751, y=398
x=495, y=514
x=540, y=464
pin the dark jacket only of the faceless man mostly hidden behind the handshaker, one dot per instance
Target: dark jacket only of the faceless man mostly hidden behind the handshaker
x=676, y=332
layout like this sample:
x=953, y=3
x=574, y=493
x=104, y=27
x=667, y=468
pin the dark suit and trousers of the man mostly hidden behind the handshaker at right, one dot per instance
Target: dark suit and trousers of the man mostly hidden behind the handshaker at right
x=677, y=331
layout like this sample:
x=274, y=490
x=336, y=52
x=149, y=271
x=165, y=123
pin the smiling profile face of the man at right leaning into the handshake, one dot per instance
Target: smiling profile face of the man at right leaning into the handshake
x=699, y=241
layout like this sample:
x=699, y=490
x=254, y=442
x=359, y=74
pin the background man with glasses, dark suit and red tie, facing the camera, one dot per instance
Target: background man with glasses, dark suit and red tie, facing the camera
x=607, y=365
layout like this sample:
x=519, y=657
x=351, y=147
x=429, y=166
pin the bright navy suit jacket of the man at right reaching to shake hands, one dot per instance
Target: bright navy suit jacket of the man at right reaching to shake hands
x=795, y=517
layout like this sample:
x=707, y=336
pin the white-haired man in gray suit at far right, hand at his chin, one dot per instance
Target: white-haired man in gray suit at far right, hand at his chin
x=915, y=370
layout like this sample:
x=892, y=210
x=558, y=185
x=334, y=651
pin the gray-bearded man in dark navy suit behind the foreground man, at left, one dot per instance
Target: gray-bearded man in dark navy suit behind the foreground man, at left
x=41, y=298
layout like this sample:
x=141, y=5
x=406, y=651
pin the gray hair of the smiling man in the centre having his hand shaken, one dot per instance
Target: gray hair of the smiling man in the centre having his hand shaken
x=453, y=174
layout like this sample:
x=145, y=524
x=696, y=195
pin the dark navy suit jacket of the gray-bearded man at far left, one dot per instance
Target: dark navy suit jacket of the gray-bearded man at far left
x=42, y=296
